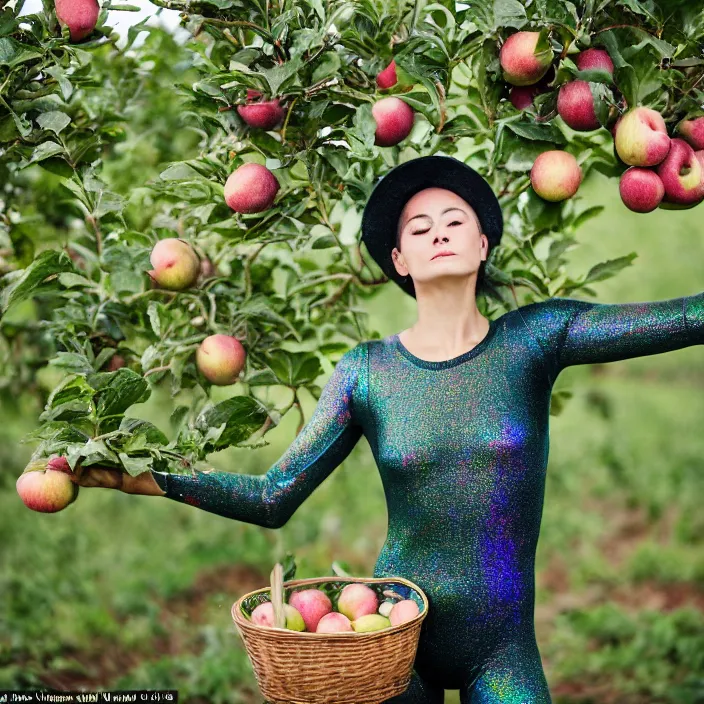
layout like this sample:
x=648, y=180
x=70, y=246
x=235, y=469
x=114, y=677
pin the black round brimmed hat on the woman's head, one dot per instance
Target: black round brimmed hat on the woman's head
x=394, y=189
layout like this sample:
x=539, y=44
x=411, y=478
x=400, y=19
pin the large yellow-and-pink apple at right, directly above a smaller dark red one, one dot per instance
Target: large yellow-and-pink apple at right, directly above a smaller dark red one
x=641, y=137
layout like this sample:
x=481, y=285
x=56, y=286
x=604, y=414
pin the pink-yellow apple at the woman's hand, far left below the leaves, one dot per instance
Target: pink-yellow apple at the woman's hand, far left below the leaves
x=46, y=485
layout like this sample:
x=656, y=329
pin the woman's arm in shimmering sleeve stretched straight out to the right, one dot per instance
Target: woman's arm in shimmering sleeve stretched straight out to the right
x=572, y=331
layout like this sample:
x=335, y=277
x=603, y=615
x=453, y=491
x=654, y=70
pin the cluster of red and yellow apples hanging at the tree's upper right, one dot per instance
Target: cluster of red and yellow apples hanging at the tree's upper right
x=640, y=135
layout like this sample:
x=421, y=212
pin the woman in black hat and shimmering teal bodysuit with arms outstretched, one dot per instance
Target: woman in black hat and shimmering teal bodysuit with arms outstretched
x=456, y=412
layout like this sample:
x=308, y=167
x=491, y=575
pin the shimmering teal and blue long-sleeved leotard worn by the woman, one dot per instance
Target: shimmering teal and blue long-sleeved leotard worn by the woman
x=462, y=448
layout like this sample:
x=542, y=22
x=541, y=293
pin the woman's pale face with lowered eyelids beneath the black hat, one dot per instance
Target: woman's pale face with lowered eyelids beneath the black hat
x=437, y=220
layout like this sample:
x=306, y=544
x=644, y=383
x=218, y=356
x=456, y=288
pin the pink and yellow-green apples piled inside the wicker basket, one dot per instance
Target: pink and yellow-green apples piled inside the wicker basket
x=358, y=610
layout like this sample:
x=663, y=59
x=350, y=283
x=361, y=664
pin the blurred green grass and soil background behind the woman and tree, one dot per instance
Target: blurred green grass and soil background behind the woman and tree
x=127, y=592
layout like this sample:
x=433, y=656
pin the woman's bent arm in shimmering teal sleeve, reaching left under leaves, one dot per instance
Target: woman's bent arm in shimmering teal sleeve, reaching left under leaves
x=269, y=500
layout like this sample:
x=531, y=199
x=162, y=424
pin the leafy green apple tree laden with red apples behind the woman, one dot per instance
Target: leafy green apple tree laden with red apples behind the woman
x=232, y=254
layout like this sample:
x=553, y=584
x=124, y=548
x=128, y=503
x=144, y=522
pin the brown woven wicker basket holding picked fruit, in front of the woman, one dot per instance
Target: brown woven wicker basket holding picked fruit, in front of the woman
x=298, y=667
